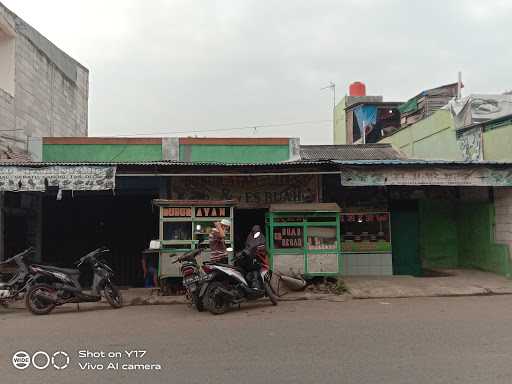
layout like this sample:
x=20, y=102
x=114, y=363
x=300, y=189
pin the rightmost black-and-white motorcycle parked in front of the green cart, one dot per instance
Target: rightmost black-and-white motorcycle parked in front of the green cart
x=248, y=279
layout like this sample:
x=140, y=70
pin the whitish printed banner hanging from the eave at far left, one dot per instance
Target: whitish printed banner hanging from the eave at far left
x=77, y=178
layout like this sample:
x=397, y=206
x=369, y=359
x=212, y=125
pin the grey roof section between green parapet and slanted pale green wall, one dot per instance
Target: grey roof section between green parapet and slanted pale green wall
x=350, y=152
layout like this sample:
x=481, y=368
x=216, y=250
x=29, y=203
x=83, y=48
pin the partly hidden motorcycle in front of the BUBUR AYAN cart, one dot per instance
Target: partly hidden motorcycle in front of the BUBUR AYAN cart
x=192, y=277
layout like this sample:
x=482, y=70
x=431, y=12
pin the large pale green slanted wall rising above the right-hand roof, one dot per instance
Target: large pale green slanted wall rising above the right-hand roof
x=430, y=138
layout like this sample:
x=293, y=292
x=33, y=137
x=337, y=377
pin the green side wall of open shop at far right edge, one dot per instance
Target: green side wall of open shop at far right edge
x=477, y=249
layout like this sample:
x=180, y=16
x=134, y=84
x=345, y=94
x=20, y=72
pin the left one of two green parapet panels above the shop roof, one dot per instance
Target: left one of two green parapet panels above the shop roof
x=102, y=152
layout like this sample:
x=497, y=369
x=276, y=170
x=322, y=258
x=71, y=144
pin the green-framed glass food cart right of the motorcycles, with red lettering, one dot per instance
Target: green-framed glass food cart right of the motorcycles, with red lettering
x=305, y=238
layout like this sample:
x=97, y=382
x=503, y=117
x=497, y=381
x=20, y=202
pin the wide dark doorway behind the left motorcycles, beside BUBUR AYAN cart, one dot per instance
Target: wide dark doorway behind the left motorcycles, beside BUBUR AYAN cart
x=125, y=224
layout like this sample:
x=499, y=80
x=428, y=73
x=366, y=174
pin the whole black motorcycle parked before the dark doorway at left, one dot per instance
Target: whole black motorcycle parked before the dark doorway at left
x=58, y=286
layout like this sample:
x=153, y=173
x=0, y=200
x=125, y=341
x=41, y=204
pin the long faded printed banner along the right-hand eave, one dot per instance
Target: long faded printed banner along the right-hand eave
x=428, y=176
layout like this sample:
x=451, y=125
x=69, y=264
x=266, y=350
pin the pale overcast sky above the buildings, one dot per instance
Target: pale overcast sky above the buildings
x=214, y=68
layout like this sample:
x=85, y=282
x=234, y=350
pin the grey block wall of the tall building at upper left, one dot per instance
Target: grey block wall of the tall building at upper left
x=51, y=89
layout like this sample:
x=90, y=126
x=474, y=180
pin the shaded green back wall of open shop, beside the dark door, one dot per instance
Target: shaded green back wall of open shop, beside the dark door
x=438, y=234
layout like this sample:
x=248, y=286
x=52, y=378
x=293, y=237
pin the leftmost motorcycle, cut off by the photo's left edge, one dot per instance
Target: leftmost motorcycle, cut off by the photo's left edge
x=16, y=271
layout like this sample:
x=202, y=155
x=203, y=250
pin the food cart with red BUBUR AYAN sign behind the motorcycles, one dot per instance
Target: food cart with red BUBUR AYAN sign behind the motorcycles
x=186, y=225
